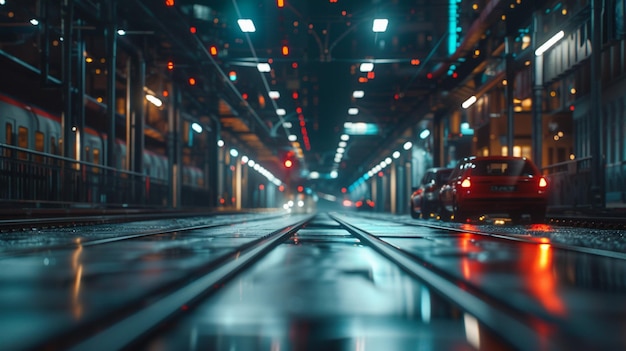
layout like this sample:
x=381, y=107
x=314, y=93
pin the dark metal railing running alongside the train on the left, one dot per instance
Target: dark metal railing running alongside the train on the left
x=43, y=179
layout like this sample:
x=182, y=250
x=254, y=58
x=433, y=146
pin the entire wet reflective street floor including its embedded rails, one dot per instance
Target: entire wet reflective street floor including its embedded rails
x=327, y=281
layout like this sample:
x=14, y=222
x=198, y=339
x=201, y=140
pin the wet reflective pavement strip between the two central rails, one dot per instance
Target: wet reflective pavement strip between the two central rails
x=323, y=290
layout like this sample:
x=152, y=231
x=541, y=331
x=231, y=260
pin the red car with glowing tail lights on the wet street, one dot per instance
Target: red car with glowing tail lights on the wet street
x=494, y=186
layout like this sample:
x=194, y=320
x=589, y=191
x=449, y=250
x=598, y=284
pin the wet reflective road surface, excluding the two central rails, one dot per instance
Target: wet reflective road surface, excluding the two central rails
x=322, y=288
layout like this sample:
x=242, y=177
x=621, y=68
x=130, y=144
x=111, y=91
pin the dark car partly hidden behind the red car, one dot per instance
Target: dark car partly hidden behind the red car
x=425, y=198
